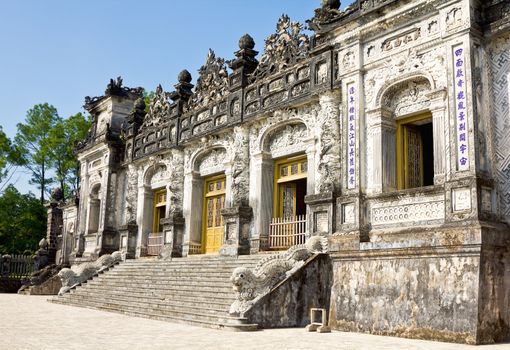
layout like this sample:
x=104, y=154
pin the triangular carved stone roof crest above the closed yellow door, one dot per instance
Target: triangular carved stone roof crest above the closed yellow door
x=212, y=83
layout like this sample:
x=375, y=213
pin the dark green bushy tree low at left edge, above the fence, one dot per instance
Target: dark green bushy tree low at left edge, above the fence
x=22, y=222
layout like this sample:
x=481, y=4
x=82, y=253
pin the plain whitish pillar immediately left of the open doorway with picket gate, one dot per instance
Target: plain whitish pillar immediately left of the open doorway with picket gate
x=261, y=197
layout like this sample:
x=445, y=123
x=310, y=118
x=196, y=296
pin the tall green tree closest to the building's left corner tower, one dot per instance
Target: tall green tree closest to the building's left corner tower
x=62, y=140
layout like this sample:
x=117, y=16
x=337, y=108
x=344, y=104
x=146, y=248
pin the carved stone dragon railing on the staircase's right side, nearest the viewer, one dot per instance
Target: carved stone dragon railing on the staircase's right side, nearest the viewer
x=251, y=285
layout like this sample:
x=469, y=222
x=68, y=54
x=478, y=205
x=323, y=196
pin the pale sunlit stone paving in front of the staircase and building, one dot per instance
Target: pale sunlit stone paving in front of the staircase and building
x=30, y=322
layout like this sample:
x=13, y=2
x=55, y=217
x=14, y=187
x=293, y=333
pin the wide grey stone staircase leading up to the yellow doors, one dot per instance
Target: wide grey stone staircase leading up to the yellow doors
x=194, y=290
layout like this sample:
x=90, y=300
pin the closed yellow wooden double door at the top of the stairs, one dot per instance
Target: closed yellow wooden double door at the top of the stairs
x=213, y=221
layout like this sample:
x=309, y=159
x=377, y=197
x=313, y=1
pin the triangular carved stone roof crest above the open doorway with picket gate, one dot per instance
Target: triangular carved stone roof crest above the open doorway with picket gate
x=283, y=49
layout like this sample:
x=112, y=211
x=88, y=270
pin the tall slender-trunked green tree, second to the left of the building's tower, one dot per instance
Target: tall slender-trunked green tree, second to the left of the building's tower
x=32, y=141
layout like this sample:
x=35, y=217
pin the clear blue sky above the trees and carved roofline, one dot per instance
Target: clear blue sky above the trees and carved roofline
x=59, y=51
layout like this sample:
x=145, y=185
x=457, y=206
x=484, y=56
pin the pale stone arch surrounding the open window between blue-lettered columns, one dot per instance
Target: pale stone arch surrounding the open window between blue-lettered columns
x=397, y=101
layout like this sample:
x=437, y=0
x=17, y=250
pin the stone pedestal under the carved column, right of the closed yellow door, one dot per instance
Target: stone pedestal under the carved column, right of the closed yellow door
x=237, y=227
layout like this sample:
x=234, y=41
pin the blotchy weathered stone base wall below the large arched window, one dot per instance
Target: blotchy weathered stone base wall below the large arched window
x=416, y=293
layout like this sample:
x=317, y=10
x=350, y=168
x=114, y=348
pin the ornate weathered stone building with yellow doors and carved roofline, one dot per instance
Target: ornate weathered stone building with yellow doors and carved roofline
x=387, y=130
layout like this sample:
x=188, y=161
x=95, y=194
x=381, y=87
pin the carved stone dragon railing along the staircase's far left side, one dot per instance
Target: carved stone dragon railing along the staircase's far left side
x=78, y=274
